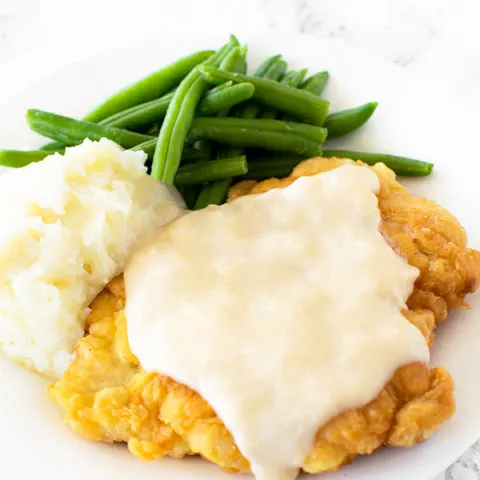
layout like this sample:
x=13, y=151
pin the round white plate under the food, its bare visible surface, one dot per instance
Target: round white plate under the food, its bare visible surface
x=412, y=120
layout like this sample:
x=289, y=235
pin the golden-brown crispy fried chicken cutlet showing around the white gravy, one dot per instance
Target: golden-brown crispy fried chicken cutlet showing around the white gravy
x=107, y=396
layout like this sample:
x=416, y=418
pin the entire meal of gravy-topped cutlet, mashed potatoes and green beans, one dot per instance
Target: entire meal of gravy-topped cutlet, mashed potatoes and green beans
x=287, y=330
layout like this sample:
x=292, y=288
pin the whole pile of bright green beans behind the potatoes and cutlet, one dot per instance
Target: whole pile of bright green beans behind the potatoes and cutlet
x=204, y=124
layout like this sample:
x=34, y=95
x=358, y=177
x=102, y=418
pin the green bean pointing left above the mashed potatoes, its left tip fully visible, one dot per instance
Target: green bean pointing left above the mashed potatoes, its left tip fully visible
x=71, y=132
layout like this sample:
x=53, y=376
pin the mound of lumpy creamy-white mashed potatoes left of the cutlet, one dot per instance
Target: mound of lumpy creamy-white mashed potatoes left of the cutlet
x=68, y=225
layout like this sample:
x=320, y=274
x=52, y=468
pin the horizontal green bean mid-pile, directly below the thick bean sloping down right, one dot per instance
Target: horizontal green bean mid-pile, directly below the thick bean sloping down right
x=211, y=127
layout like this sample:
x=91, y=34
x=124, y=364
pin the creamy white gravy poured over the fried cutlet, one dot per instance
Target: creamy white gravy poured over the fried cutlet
x=282, y=310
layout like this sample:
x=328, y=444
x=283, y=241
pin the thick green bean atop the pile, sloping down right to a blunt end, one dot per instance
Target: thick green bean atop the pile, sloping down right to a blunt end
x=299, y=103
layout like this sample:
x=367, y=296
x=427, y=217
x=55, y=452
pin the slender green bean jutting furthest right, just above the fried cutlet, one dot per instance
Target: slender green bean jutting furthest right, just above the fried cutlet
x=404, y=166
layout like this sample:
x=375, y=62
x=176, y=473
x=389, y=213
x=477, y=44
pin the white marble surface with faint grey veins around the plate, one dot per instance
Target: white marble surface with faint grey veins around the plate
x=438, y=39
